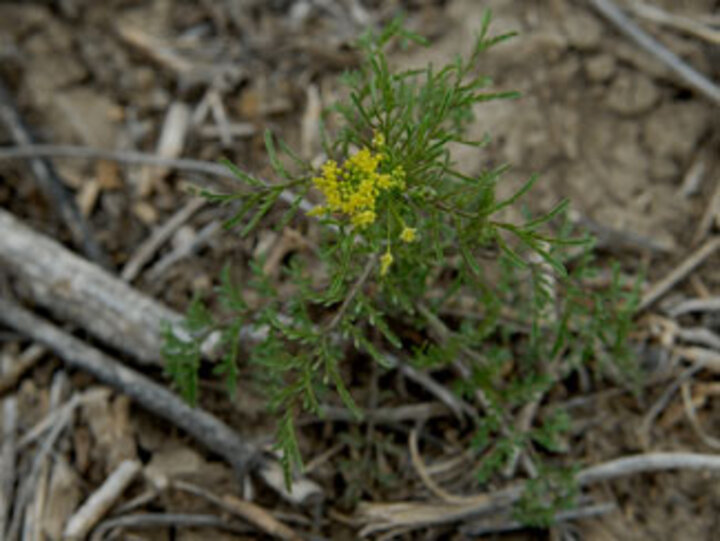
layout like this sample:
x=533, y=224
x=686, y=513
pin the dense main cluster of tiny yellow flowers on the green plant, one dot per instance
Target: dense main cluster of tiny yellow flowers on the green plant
x=353, y=189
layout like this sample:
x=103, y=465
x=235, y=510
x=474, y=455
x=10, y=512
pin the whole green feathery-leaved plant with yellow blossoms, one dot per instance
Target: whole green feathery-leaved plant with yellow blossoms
x=403, y=235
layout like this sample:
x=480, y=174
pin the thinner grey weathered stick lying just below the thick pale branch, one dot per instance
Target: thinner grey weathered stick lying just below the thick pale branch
x=204, y=427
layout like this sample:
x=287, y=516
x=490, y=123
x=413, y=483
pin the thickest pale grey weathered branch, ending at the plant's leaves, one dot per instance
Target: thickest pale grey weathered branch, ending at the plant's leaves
x=75, y=290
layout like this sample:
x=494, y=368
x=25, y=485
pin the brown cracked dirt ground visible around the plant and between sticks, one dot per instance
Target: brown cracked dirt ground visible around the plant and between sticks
x=603, y=123
